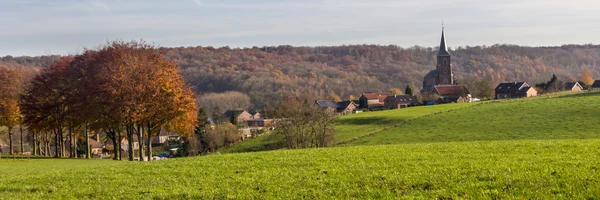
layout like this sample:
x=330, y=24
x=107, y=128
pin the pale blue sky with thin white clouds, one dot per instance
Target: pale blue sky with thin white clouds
x=41, y=27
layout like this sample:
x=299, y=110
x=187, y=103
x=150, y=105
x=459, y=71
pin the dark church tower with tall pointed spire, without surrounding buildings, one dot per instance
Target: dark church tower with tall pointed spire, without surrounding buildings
x=444, y=66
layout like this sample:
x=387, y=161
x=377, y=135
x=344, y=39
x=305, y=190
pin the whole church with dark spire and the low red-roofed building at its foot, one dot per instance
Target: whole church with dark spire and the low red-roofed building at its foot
x=440, y=81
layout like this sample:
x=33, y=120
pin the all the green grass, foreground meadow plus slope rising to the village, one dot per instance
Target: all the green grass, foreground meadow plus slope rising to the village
x=536, y=148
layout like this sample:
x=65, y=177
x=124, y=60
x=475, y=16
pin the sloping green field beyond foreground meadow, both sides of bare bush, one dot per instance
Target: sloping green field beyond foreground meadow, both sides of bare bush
x=556, y=116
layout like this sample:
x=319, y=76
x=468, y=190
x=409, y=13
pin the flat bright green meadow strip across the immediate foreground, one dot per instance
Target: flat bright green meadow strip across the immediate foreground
x=546, y=169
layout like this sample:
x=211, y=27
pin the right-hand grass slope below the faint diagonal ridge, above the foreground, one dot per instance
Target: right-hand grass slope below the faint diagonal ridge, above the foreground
x=557, y=117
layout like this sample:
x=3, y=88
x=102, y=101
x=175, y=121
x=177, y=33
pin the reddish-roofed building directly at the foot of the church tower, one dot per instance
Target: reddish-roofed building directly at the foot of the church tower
x=450, y=93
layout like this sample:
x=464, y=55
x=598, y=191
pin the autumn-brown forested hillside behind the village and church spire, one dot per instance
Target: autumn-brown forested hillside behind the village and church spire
x=268, y=72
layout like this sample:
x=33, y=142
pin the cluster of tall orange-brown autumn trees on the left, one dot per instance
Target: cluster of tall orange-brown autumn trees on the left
x=123, y=89
